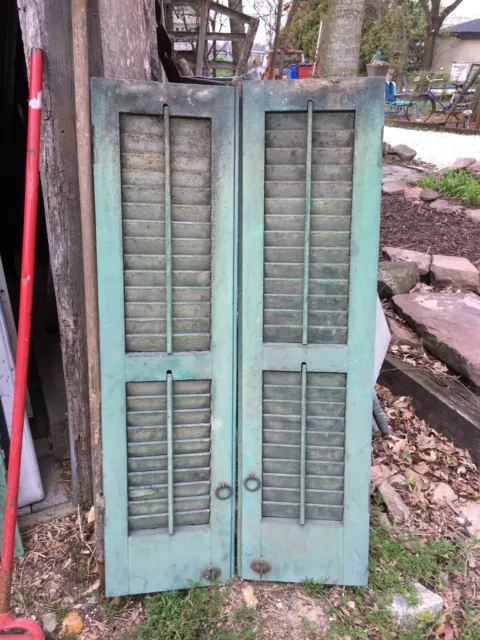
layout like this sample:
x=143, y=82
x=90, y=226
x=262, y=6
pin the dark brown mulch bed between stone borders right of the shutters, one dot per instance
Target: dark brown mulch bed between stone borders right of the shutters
x=412, y=225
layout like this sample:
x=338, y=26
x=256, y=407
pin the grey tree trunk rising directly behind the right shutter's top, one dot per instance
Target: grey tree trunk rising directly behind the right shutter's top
x=340, y=44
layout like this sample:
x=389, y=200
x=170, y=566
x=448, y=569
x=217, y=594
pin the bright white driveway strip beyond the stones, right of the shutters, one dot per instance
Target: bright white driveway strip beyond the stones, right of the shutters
x=440, y=149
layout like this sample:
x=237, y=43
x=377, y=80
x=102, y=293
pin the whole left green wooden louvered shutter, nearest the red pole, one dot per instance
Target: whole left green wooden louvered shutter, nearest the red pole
x=164, y=189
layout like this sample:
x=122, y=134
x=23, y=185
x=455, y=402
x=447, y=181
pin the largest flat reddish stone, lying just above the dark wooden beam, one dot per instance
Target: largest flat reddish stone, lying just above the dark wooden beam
x=449, y=324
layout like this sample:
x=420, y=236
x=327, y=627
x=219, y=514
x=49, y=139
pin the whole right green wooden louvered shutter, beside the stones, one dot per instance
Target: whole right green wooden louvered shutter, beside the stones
x=310, y=221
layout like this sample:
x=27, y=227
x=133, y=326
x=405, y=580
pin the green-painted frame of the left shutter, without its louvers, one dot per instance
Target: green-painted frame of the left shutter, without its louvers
x=130, y=565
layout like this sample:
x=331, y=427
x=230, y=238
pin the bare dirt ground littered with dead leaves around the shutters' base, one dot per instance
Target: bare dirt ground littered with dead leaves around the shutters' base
x=57, y=574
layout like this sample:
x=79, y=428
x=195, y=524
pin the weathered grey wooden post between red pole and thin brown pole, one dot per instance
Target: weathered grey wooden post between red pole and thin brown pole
x=47, y=25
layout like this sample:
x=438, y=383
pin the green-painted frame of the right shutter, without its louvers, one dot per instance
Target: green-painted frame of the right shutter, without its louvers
x=344, y=561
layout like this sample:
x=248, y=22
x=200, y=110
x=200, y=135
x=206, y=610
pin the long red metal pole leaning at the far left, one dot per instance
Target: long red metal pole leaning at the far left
x=7, y=621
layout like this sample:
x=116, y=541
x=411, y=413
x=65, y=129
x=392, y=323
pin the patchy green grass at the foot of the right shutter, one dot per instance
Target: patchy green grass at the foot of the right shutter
x=397, y=561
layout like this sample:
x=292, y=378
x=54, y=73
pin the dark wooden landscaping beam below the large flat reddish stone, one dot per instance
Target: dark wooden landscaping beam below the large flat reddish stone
x=445, y=403
